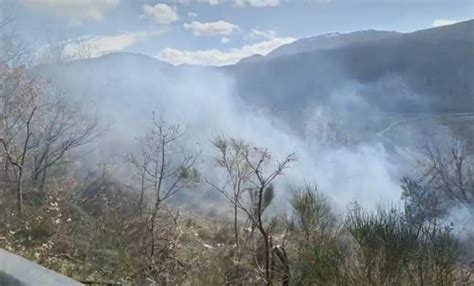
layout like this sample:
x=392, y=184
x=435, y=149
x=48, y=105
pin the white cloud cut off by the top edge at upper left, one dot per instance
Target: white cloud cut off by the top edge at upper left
x=75, y=10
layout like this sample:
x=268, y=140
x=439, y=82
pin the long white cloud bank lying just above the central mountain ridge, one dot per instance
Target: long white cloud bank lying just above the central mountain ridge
x=216, y=57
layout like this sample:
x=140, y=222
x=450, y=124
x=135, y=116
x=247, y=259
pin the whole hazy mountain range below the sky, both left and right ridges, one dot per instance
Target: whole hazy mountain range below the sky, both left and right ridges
x=356, y=73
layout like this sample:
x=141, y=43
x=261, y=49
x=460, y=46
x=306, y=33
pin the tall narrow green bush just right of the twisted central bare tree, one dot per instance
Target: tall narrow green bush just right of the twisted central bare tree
x=318, y=257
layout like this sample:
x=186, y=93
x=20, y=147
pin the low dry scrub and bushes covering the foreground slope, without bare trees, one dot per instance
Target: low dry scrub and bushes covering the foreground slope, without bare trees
x=92, y=233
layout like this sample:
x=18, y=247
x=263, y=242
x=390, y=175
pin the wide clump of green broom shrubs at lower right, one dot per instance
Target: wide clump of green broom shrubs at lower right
x=392, y=251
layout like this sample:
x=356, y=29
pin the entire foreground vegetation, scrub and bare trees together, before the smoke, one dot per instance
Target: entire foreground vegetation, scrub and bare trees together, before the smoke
x=100, y=225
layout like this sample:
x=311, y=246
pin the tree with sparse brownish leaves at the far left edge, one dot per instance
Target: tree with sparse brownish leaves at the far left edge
x=18, y=105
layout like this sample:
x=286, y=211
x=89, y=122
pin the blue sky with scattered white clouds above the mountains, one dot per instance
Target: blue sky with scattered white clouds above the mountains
x=213, y=32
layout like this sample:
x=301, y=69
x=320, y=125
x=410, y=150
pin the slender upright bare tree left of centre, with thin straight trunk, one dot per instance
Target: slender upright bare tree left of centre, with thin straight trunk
x=166, y=169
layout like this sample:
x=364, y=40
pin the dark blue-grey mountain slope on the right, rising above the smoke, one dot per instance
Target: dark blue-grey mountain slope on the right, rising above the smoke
x=424, y=71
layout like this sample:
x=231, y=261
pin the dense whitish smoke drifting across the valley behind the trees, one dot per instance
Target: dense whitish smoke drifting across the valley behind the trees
x=207, y=104
